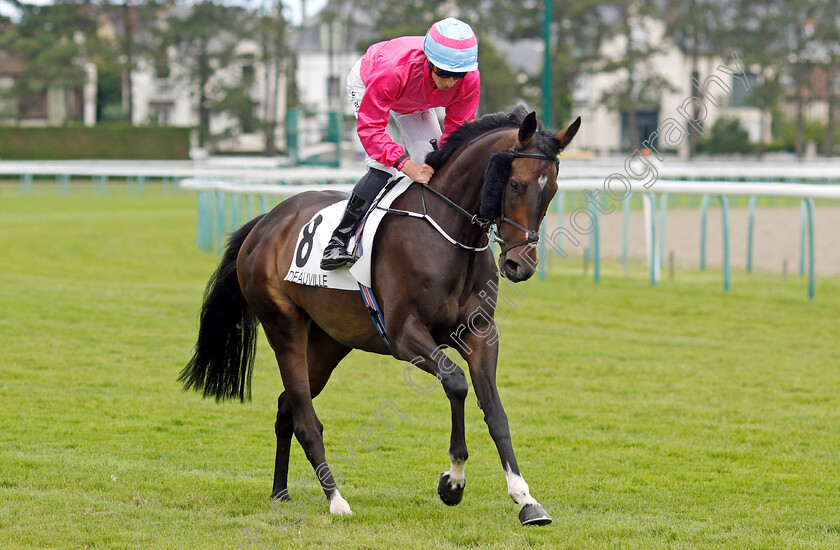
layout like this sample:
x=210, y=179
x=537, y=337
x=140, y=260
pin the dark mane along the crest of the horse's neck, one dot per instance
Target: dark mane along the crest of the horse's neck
x=545, y=141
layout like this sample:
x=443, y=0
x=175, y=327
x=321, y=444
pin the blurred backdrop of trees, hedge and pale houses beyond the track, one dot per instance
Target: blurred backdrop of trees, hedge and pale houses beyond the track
x=267, y=78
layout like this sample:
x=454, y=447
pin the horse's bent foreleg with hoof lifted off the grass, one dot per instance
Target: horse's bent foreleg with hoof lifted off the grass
x=415, y=344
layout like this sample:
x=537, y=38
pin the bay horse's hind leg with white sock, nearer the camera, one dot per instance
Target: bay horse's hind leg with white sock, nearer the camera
x=285, y=329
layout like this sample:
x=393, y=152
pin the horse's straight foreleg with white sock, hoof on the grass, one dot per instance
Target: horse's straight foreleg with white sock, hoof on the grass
x=482, y=360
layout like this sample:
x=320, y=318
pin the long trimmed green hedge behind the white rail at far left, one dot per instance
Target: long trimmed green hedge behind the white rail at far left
x=98, y=142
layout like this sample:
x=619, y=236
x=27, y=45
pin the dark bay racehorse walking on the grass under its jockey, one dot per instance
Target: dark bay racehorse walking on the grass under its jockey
x=503, y=166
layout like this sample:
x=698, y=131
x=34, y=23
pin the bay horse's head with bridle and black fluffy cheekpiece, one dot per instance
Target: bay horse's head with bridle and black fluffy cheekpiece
x=526, y=178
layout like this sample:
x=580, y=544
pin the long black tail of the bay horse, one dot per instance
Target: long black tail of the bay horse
x=227, y=335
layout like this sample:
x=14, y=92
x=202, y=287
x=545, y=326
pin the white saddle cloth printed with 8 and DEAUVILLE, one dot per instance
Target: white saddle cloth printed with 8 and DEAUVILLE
x=305, y=268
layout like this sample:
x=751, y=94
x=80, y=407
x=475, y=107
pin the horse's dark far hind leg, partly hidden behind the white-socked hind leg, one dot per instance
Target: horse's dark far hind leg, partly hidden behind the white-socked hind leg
x=322, y=355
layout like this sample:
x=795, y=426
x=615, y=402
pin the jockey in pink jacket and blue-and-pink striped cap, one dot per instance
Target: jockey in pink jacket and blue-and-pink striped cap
x=405, y=78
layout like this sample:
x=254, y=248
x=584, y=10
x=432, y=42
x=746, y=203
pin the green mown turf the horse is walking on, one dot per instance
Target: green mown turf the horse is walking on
x=669, y=417
